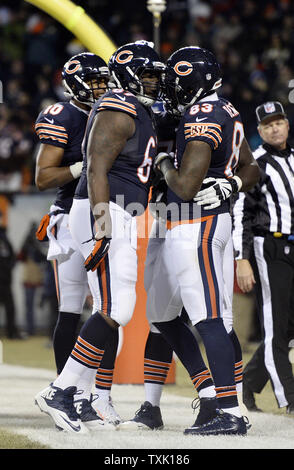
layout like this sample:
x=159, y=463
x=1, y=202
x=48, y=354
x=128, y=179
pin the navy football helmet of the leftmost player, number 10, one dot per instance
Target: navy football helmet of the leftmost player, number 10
x=78, y=70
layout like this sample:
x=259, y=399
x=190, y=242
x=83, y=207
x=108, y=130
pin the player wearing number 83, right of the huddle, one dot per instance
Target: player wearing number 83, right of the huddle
x=210, y=139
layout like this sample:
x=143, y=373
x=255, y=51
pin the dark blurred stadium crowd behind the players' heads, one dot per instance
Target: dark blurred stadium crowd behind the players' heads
x=253, y=41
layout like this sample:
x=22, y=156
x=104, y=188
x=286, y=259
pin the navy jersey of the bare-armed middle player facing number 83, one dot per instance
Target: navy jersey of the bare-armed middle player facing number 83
x=130, y=176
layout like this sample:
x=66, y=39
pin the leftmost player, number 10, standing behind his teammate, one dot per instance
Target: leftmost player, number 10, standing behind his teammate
x=60, y=128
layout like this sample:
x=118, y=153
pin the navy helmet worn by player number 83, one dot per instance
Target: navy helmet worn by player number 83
x=191, y=74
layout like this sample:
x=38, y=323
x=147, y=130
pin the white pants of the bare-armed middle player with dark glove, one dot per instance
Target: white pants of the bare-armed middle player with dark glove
x=113, y=284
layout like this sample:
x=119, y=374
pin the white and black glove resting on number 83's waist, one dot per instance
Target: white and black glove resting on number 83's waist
x=219, y=190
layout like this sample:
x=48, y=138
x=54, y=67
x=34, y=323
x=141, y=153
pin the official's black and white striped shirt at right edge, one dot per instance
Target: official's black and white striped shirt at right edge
x=269, y=206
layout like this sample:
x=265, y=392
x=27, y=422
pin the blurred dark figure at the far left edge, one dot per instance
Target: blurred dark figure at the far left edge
x=7, y=263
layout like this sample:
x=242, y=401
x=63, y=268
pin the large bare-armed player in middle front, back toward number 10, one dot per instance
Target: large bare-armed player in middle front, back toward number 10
x=119, y=148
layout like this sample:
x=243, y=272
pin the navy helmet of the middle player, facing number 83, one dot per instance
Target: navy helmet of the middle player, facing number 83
x=128, y=65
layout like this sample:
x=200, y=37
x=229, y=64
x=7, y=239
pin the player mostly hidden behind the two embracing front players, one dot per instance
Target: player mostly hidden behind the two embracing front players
x=158, y=353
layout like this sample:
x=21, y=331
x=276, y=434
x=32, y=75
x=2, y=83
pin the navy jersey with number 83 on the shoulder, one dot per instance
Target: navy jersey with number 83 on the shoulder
x=218, y=123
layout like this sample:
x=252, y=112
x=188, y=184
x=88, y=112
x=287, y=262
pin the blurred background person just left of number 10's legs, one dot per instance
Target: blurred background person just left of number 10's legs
x=32, y=276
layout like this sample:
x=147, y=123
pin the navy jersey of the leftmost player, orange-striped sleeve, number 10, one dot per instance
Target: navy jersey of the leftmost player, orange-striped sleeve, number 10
x=63, y=125
